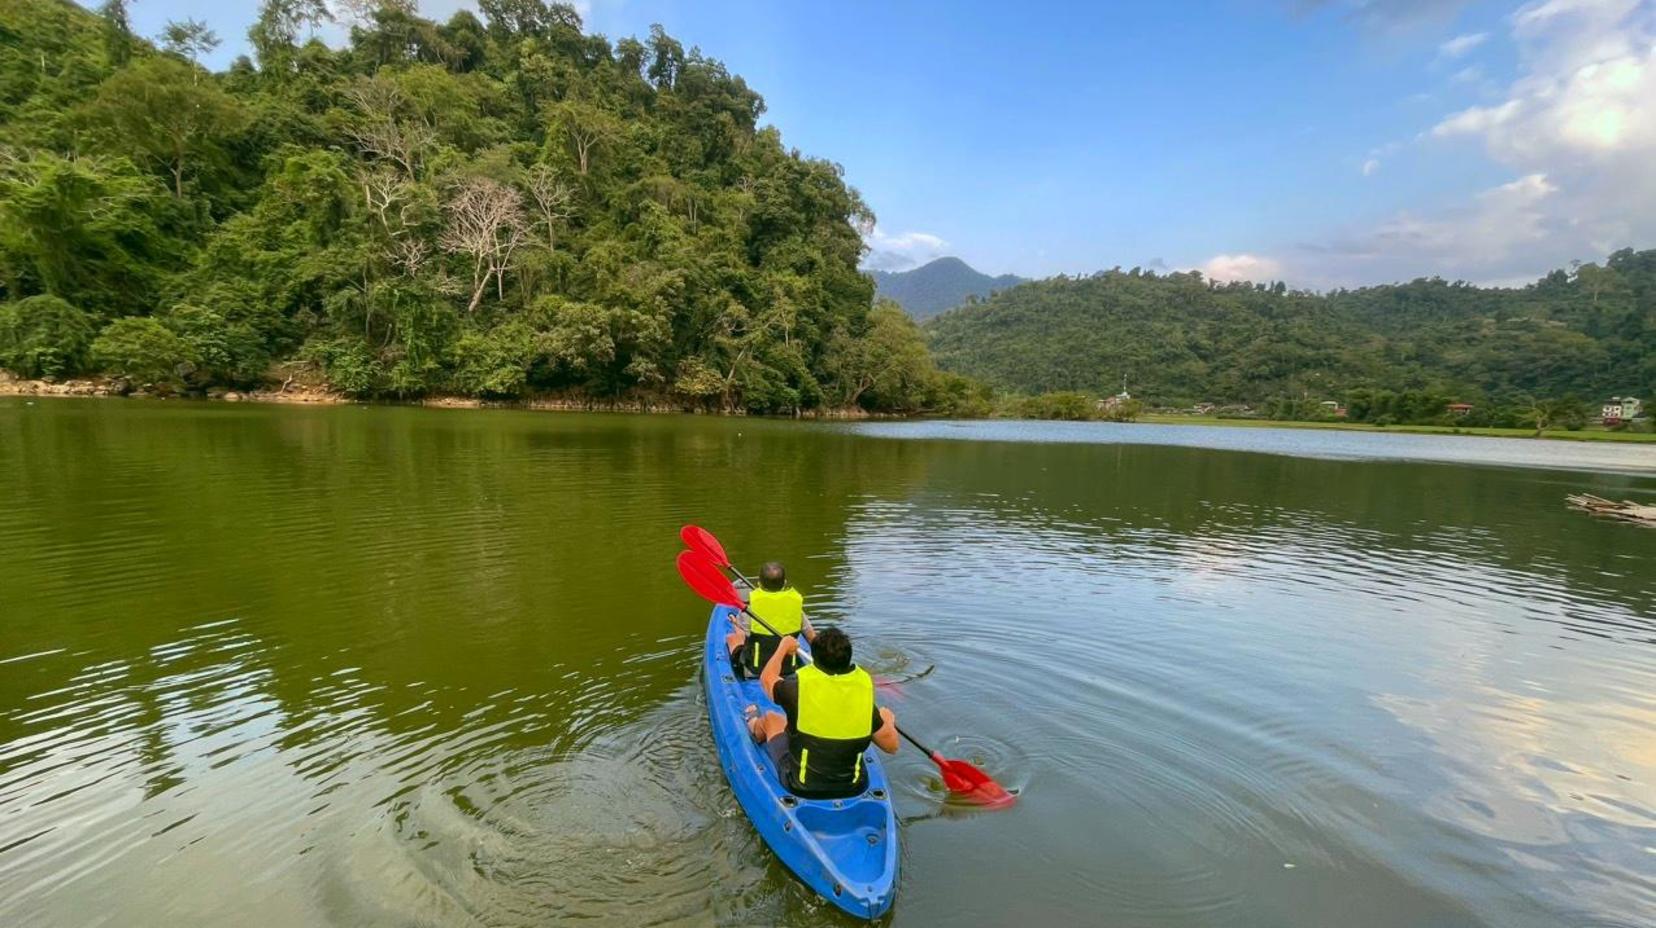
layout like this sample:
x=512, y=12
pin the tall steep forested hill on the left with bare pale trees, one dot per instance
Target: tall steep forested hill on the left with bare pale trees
x=494, y=205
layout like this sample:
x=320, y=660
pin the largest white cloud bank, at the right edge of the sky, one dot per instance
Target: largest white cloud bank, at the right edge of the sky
x=1576, y=130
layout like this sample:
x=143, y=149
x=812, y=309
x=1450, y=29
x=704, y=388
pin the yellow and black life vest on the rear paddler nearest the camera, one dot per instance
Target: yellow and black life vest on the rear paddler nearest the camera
x=834, y=728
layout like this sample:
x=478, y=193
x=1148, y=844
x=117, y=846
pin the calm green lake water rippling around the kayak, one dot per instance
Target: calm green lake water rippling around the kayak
x=367, y=667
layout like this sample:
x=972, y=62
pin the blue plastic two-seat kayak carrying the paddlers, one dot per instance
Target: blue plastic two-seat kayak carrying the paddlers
x=845, y=849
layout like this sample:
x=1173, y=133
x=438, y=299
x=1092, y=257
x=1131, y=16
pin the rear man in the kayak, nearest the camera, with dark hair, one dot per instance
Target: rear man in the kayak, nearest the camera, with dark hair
x=827, y=722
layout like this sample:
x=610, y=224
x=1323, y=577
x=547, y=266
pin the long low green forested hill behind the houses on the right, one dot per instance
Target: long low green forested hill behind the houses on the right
x=1182, y=339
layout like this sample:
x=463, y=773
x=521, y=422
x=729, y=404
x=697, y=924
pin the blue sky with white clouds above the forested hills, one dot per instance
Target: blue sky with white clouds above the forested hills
x=1324, y=143
